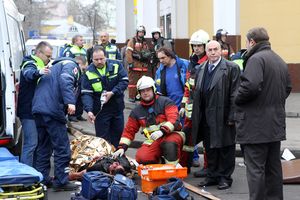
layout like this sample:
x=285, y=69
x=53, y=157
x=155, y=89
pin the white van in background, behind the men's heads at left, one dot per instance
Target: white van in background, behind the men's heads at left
x=57, y=45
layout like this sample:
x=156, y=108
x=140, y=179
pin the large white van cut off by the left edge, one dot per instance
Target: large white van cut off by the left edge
x=12, y=51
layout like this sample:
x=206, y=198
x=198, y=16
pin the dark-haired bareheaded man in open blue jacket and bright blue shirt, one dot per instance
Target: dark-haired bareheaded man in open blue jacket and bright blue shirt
x=171, y=75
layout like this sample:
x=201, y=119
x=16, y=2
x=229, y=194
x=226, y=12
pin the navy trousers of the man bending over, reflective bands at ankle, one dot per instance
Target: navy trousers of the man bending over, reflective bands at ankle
x=53, y=137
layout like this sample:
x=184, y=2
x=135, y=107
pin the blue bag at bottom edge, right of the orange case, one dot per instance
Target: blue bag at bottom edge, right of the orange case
x=174, y=189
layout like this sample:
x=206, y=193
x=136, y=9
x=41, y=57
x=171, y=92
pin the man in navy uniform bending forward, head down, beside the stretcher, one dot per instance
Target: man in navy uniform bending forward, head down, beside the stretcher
x=54, y=98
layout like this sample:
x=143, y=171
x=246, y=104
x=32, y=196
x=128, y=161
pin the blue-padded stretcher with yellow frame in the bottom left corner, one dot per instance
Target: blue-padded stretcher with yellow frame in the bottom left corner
x=19, y=181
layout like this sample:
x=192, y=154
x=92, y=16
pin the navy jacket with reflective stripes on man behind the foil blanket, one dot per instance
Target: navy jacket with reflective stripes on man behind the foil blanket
x=117, y=83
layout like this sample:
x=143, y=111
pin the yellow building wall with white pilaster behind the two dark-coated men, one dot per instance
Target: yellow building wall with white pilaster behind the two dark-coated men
x=277, y=16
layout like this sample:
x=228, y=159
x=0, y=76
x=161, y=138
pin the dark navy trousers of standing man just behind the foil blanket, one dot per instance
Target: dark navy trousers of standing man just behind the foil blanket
x=109, y=126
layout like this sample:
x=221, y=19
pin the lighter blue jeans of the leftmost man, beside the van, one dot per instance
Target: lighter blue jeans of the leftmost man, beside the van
x=30, y=141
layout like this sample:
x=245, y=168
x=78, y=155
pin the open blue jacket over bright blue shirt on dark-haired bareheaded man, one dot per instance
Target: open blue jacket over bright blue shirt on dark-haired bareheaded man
x=160, y=78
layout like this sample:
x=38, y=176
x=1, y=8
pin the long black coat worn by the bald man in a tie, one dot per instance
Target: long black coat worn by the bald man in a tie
x=219, y=108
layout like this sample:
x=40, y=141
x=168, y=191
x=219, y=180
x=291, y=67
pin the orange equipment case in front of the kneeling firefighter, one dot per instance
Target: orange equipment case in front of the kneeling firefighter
x=154, y=175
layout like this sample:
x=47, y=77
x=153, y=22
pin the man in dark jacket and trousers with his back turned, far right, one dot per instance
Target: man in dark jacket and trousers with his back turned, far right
x=260, y=117
